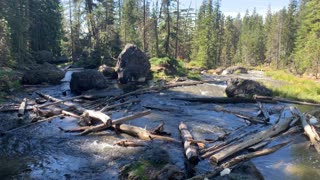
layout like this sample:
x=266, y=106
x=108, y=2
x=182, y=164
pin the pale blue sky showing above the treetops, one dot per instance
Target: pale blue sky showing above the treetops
x=233, y=7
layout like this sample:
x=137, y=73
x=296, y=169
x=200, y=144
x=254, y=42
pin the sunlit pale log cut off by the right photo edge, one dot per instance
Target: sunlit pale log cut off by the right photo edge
x=310, y=132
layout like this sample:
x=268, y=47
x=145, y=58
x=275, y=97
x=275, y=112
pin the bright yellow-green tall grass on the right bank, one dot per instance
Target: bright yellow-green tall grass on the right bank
x=294, y=87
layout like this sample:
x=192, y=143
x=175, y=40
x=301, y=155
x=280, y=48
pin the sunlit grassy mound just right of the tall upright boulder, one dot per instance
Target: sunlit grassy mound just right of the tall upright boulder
x=172, y=68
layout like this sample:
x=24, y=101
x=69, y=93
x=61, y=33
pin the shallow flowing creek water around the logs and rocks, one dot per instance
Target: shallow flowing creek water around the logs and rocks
x=44, y=152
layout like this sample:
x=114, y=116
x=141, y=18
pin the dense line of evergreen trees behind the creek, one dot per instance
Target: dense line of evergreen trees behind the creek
x=96, y=31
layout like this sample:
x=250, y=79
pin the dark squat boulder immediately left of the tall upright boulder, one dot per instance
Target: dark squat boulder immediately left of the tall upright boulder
x=86, y=80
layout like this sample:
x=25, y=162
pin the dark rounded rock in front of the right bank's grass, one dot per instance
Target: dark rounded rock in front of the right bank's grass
x=245, y=88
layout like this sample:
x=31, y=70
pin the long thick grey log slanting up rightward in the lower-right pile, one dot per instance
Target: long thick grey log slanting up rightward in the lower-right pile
x=286, y=117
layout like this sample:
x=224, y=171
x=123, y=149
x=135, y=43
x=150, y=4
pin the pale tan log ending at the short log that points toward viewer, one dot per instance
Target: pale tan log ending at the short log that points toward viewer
x=141, y=133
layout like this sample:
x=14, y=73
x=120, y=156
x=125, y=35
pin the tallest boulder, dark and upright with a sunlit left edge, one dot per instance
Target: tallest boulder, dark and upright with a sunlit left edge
x=133, y=65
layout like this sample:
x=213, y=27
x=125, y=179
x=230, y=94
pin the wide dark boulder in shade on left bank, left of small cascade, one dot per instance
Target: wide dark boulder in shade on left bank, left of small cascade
x=42, y=73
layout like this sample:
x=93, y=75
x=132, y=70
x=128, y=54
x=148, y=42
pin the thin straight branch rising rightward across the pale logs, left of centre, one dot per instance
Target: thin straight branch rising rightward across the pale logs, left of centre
x=101, y=127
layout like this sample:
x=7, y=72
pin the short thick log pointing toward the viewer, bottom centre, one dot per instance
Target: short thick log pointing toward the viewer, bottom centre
x=190, y=149
